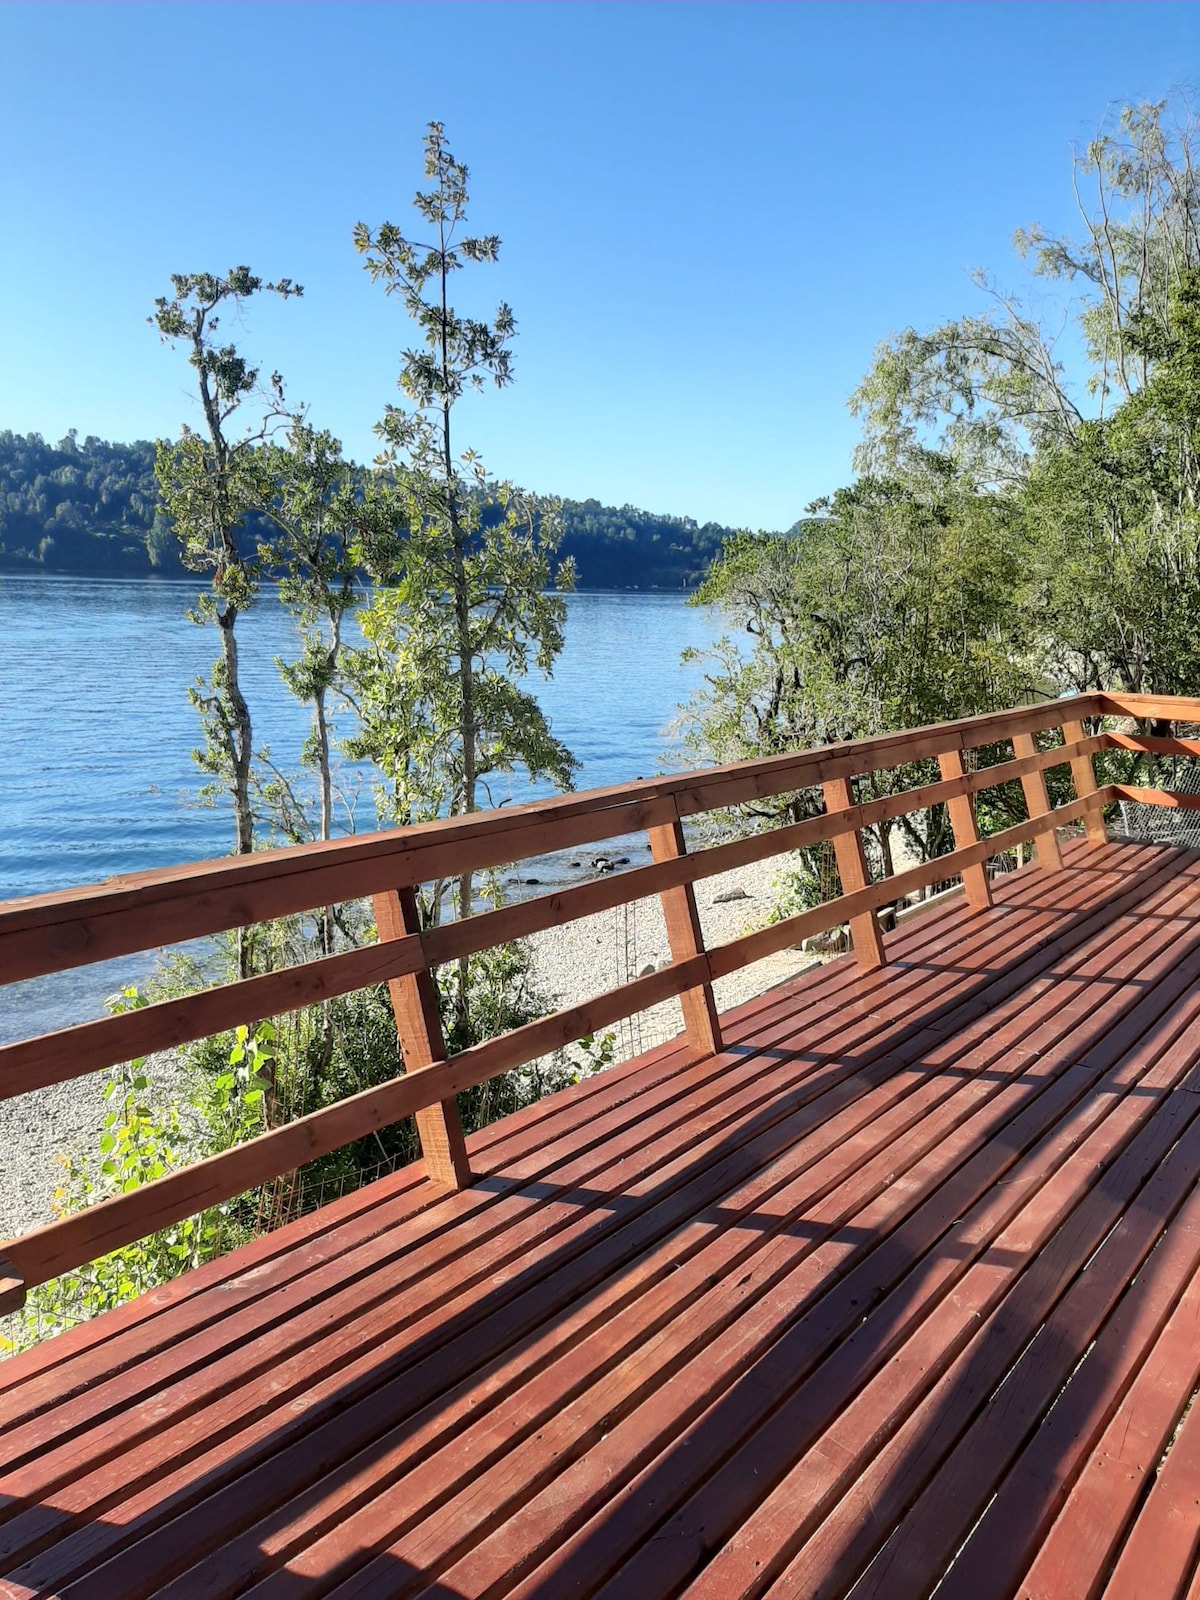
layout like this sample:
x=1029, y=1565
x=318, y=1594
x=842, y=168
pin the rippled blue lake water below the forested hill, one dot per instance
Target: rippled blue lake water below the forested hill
x=97, y=732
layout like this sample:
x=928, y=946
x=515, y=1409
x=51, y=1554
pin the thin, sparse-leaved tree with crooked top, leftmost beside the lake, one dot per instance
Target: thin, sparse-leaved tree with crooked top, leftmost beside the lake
x=209, y=482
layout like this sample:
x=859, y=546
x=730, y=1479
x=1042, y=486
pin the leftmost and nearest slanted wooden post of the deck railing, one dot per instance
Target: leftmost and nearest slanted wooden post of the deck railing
x=422, y=1044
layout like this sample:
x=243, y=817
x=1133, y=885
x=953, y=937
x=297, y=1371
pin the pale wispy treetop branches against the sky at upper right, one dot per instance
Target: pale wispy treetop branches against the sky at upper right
x=990, y=391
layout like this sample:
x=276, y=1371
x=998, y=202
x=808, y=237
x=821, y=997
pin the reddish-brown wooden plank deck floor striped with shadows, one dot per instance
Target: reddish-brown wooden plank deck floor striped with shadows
x=900, y=1292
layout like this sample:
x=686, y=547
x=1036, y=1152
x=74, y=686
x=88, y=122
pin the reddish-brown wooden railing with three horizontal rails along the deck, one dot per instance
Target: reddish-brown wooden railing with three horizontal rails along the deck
x=124, y=916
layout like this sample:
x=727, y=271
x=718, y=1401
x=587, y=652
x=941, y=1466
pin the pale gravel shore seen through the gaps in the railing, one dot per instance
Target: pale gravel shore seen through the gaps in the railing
x=570, y=964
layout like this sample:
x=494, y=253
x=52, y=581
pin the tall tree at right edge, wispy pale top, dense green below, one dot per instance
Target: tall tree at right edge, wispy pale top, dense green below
x=1106, y=473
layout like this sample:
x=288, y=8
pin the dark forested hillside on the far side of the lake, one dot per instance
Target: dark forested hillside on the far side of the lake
x=89, y=506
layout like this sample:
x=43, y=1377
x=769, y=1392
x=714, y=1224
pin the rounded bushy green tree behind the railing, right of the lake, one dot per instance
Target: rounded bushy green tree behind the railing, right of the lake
x=892, y=606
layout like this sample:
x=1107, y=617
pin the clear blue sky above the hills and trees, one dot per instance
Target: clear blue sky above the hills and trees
x=711, y=214
